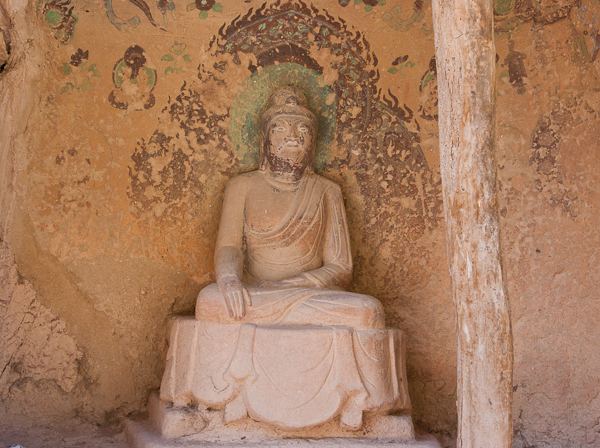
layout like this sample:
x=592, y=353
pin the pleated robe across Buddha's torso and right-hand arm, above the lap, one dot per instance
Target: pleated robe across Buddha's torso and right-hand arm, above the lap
x=311, y=240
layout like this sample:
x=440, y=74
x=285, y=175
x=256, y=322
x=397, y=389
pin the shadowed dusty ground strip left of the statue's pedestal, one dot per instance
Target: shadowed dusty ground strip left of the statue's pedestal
x=64, y=434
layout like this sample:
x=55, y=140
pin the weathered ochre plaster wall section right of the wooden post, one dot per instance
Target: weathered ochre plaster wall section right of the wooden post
x=548, y=109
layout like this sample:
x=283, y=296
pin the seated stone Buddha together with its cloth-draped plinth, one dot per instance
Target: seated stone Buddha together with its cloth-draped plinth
x=278, y=340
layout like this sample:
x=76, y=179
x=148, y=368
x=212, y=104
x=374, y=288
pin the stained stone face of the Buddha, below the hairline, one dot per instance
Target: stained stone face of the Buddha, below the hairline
x=291, y=142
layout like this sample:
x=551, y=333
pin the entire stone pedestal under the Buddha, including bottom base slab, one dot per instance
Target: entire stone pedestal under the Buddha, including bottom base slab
x=266, y=385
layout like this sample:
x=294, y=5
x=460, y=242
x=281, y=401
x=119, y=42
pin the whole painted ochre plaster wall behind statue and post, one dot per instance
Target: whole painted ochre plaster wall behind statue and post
x=123, y=120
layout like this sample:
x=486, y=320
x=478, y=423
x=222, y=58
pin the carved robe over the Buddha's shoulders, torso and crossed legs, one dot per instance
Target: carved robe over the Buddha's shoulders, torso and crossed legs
x=312, y=242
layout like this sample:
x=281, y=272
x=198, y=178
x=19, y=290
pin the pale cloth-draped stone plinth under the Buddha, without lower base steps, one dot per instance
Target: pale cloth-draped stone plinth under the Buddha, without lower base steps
x=287, y=376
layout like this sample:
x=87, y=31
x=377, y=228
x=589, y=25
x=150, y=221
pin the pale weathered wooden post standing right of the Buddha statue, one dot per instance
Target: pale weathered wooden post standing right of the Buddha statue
x=465, y=54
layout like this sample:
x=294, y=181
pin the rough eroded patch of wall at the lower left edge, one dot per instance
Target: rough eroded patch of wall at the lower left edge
x=38, y=358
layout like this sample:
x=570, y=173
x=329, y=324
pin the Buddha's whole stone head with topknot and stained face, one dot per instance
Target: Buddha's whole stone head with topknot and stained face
x=288, y=134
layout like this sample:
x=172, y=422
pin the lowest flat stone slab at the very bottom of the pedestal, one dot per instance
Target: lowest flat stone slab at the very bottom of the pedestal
x=143, y=435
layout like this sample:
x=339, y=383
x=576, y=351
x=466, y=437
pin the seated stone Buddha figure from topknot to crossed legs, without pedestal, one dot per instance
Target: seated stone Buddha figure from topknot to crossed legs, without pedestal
x=283, y=252
